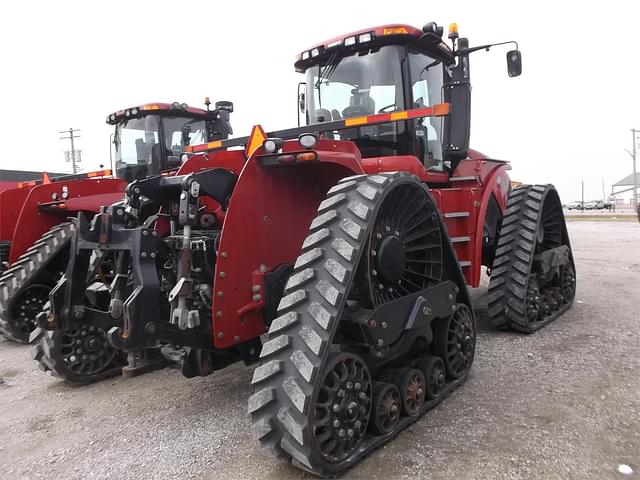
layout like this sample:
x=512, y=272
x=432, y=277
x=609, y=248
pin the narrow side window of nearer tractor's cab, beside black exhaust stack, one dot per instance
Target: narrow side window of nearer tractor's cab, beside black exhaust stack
x=426, y=88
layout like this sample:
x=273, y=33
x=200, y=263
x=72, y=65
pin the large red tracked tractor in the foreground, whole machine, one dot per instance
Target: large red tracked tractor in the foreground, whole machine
x=350, y=242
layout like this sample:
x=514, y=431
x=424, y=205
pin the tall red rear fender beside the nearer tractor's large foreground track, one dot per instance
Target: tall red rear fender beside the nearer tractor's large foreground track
x=262, y=232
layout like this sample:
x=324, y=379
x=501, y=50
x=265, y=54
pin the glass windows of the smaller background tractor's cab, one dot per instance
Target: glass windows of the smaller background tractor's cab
x=138, y=148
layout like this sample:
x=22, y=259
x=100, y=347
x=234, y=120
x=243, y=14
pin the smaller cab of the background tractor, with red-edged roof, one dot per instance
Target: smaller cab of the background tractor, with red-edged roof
x=151, y=138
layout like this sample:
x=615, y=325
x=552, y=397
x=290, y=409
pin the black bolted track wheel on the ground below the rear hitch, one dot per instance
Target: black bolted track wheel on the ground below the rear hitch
x=79, y=356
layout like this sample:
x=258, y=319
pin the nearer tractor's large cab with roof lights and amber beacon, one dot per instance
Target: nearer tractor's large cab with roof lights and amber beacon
x=391, y=69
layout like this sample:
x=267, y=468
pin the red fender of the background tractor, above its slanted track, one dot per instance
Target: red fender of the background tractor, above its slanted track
x=86, y=195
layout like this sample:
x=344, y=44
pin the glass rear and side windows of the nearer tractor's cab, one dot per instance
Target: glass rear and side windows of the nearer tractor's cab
x=371, y=82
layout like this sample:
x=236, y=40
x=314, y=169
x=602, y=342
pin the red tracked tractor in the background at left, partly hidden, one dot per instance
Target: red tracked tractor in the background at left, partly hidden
x=35, y=227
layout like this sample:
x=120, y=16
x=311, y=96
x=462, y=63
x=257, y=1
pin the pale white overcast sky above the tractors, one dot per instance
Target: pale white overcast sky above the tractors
x=566, y=119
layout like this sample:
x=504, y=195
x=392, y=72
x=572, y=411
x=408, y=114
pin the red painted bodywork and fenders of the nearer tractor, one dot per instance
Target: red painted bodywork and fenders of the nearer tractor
x=271, y=209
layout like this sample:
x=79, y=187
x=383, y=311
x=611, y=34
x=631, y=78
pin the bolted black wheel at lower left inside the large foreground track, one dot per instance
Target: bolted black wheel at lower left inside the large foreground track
x=342, y=407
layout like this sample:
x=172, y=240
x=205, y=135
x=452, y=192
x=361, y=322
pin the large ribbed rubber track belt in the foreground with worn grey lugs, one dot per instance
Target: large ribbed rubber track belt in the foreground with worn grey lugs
x=301, y=336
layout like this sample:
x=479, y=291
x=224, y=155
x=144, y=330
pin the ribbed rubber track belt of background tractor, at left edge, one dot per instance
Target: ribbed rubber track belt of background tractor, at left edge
x=26, y=268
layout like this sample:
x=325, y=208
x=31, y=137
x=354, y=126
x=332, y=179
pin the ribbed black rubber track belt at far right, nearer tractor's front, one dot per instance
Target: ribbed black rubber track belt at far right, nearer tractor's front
x=514, y=258
